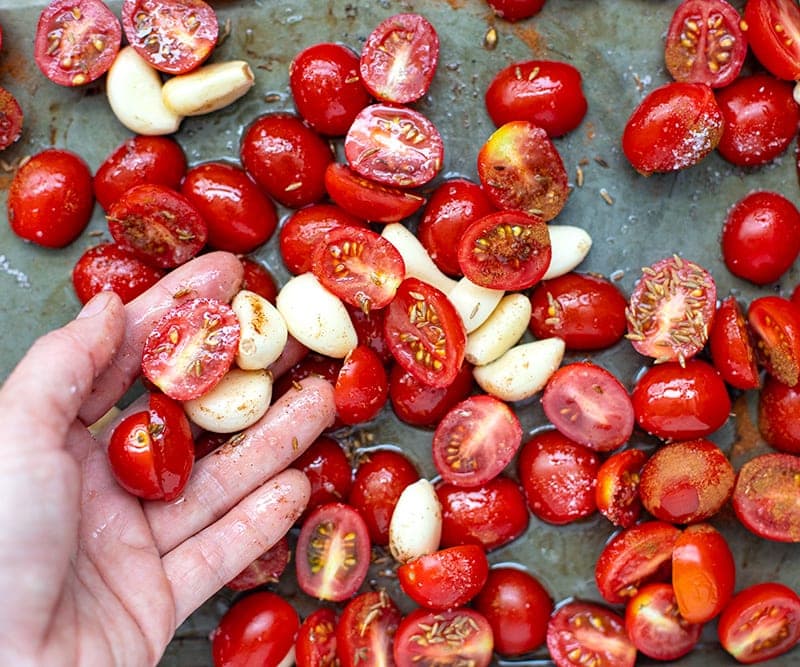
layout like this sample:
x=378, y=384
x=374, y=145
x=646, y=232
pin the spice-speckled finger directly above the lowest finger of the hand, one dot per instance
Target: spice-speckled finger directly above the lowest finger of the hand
x=221, y=479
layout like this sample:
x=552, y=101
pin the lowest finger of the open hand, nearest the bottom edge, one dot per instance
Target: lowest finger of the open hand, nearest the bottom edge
x=203, y=564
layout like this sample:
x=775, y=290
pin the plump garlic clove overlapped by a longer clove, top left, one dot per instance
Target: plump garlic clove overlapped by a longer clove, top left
x=133, y=88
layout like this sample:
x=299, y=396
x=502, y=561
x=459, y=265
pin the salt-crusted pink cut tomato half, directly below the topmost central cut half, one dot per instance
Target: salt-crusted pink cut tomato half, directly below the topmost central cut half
x=394, y=145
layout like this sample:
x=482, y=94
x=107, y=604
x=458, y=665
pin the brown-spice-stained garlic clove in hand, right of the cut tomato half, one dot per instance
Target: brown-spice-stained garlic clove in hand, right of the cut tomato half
x=263, y=331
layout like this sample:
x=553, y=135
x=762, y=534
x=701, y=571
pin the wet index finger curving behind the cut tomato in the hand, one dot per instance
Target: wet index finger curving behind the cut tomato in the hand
x=217, y=275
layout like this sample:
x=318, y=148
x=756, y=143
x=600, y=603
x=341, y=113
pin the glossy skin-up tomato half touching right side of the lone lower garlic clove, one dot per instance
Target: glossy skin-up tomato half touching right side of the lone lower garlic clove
x=492, y=514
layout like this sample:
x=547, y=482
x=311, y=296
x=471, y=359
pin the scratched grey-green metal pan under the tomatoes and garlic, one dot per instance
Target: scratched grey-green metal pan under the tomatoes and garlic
x=616, y=44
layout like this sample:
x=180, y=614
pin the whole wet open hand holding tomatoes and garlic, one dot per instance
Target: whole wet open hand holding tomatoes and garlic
x=90, y=574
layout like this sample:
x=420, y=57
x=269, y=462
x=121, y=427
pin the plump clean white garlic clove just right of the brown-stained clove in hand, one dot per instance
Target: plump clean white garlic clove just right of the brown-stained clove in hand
x=315, y=317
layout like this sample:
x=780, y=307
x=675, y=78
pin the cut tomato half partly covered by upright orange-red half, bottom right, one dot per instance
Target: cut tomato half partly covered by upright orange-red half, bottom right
x=655, y=625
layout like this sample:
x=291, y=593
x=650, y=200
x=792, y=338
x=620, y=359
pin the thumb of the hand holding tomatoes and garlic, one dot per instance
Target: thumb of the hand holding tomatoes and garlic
x=45, y=392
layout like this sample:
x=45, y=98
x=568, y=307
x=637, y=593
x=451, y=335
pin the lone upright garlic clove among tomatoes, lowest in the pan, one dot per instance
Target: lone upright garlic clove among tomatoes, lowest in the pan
x=415, y=528
